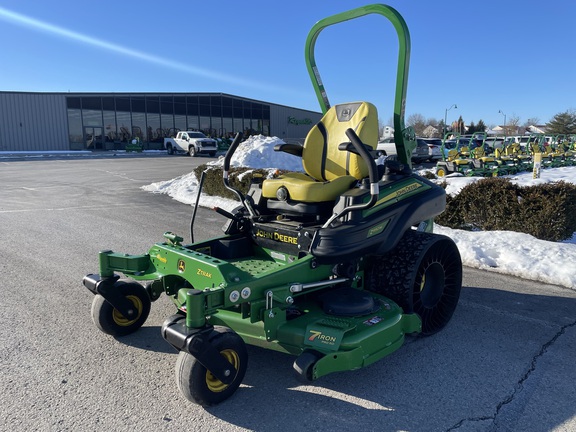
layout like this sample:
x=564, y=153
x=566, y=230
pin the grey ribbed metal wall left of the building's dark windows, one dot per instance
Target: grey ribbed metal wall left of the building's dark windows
x=33, y=122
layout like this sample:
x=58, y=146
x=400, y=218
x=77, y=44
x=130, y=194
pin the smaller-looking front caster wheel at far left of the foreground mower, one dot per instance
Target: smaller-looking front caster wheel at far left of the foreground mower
x=112, y=322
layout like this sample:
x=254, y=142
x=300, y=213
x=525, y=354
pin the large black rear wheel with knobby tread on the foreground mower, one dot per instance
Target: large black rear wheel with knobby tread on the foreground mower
x=423, y=275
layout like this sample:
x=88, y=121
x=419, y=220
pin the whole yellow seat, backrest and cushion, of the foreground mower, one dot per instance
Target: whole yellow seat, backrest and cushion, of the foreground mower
x=328, y=171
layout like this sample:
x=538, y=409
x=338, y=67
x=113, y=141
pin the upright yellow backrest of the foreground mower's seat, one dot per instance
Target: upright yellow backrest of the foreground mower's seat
x=321, y=157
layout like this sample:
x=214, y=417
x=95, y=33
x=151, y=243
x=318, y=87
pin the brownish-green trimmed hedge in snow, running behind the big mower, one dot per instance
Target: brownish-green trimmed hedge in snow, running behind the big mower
x=547, y=211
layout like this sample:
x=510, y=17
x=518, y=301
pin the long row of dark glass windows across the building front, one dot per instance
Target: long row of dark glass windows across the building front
x=110, y=121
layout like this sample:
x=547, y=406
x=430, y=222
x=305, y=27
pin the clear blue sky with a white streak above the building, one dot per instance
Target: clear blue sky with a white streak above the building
x=484, y=56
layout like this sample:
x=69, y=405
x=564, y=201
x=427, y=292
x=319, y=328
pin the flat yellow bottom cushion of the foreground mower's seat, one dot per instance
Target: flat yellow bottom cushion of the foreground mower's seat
x=304, y=188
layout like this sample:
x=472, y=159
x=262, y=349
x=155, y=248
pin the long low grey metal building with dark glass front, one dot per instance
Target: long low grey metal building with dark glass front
x=107, y=121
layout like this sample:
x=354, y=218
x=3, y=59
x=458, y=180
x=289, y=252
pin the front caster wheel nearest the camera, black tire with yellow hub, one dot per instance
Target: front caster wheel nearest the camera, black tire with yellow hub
x=198, y=384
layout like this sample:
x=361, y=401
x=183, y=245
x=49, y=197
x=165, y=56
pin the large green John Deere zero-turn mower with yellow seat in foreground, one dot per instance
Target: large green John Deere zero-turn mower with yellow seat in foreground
x=334, y=266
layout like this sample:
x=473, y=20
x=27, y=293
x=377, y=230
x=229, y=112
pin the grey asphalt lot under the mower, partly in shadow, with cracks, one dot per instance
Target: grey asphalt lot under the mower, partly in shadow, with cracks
x=504, y=363
